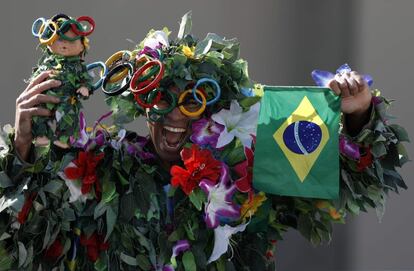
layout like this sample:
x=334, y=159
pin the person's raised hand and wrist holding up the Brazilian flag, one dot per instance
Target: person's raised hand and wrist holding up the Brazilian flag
x=356, y=99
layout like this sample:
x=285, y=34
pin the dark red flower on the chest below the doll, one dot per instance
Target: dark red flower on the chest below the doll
x=86, y=170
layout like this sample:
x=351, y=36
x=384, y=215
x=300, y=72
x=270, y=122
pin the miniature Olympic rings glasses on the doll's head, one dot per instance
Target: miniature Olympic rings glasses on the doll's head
x=48, y=31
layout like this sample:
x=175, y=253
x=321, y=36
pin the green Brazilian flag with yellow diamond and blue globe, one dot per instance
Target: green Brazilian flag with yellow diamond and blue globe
x=297, y=142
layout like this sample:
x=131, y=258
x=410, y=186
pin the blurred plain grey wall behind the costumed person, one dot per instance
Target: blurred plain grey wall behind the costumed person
x=283, y=42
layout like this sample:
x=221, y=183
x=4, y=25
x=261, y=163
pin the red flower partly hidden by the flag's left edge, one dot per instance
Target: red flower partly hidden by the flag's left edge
x=245, y=171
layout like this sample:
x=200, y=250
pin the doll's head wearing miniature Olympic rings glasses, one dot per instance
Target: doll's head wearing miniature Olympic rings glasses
x=62, y=35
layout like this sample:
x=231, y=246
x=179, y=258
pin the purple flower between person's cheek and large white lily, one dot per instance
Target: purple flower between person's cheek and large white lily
x=206, y=132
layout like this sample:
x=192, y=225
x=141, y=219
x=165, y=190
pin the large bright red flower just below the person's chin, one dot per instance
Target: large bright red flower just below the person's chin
x=200, y=164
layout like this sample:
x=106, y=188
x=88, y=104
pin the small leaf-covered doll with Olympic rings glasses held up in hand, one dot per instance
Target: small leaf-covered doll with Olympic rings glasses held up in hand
x=64, y=42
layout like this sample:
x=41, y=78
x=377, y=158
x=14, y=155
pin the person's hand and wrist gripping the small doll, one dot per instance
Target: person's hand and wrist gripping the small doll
x=27, y=106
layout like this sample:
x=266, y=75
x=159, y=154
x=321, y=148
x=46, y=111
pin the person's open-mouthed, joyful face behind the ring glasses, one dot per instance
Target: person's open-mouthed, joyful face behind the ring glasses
x=170, y=135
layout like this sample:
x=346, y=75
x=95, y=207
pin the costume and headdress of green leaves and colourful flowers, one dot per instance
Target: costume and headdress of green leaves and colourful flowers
x=107, y=204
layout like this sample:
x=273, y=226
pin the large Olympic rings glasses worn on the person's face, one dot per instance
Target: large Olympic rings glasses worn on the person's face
x=142, y=75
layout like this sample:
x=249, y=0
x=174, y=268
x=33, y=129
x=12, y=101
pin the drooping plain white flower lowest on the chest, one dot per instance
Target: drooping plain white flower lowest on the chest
x=222, y=235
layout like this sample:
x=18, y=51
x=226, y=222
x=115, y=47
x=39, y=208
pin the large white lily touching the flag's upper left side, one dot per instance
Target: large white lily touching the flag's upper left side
x=237, y=124
